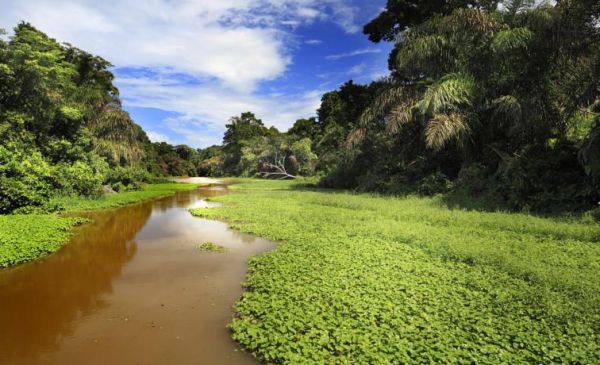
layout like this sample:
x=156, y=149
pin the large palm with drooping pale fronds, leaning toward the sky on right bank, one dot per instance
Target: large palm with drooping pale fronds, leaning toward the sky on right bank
x=446, y=77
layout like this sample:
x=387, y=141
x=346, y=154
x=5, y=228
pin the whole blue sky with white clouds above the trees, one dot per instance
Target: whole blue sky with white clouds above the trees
x=184, y=67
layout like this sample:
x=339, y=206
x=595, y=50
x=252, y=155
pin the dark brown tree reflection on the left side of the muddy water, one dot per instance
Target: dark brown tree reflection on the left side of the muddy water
x=41, y=302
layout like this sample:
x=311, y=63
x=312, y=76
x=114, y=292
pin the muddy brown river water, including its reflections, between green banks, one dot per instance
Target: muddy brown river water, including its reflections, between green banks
x=130, y=288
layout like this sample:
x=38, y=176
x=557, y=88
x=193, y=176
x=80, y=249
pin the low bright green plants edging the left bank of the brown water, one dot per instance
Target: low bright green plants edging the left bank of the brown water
x=28, y=237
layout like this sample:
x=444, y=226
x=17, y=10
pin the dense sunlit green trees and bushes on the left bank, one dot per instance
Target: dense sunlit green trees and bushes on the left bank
x=63, y=131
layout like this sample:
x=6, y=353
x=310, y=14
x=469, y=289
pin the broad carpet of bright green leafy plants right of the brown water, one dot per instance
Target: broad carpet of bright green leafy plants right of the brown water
x=363, y=279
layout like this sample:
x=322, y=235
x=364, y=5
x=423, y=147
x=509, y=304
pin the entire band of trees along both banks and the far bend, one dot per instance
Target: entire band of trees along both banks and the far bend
x=496, y=104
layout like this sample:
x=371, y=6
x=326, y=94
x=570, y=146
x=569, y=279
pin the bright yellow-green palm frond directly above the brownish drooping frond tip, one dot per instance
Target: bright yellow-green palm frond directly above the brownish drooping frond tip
x=449, y=93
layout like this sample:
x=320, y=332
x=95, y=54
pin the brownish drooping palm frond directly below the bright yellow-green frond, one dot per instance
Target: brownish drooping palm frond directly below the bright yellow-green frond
x=444, y=127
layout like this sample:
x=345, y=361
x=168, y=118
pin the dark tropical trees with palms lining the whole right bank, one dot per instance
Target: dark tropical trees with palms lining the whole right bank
x=497, y=101
